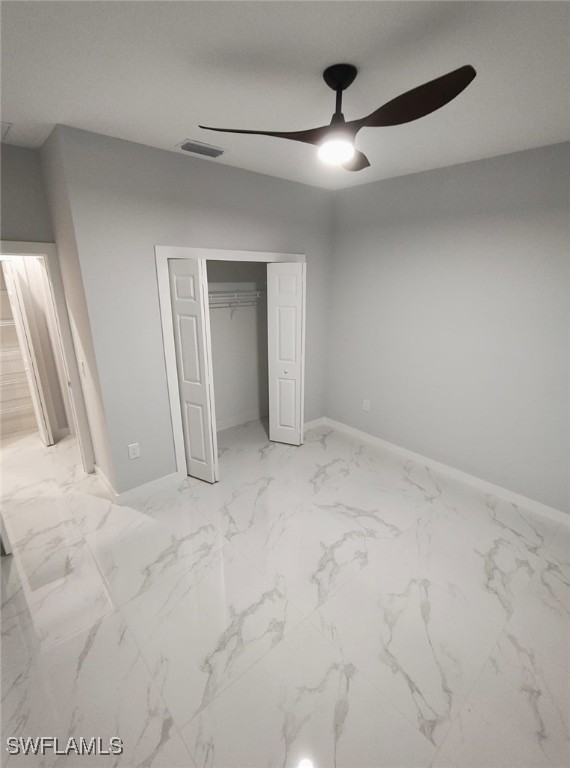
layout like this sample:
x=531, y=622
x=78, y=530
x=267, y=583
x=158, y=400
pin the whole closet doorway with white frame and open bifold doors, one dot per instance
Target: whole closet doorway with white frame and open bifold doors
x=221, y=310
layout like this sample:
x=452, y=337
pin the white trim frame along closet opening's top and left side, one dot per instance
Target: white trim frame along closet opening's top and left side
x=162, y=254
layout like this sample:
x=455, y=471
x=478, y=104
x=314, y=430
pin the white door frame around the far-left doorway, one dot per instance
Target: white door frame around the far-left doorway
x=48, y=252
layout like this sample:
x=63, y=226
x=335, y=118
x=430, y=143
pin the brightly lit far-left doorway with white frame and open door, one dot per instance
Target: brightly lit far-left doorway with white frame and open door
x=41, y=385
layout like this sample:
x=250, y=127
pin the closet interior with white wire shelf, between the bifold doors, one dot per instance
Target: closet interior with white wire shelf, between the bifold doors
x=237, y=293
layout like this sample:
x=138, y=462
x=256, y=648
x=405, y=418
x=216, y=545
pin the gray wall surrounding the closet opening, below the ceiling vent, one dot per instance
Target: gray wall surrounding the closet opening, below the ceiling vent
x=124, y=199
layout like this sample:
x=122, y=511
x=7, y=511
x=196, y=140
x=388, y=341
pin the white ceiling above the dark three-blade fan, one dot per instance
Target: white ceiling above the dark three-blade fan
x=150, y=72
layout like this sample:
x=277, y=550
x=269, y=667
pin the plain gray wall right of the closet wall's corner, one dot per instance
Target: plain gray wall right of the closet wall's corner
x=449, y=311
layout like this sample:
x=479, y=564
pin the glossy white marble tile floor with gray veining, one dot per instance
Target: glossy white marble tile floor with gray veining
x=329, y=602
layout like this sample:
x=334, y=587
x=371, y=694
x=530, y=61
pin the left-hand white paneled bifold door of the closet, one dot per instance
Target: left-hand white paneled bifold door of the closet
x=189, y=296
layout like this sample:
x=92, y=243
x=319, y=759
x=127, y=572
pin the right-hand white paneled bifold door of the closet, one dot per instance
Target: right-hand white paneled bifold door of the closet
x=286, y=350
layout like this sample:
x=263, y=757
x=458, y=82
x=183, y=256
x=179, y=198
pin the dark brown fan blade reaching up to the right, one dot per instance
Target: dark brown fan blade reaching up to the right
x=422, y=100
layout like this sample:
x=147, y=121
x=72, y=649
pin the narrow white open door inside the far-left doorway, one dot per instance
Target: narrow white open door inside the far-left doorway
x=31, y=355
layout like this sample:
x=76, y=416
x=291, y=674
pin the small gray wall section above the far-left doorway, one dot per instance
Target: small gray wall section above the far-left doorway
x=24, y=213
